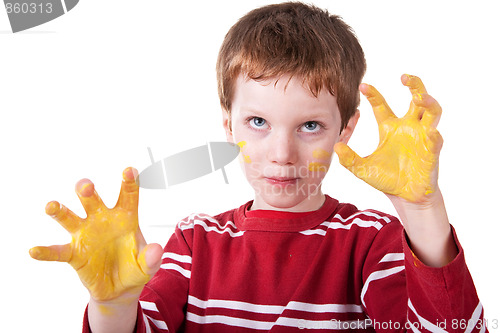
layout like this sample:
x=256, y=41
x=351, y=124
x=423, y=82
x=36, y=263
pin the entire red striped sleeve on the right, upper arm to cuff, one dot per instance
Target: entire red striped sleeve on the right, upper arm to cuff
x=400, y=293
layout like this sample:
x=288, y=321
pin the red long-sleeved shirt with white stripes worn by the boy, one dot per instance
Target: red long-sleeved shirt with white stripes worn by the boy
x=336, y=268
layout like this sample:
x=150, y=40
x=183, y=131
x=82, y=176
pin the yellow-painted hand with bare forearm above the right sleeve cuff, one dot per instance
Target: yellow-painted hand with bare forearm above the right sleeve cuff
x=405, y=167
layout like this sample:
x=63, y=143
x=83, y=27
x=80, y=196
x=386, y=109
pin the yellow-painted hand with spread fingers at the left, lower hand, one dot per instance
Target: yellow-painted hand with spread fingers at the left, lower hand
x=107, y=249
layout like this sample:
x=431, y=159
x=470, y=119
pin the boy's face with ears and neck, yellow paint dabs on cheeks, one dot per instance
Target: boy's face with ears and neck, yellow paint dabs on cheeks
x=286, y=139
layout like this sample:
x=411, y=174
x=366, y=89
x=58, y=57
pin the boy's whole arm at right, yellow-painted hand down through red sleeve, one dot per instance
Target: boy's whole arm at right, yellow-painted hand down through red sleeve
x=438, y=288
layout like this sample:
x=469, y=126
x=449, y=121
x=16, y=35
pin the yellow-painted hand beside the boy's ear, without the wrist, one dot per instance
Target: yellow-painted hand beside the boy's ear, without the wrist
x=405, y=163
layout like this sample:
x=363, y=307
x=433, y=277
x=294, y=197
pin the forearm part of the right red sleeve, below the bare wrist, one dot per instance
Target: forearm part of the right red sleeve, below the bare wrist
x=444, y=297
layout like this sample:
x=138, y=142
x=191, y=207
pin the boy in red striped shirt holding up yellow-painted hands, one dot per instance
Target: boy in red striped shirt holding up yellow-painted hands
x=292, y=258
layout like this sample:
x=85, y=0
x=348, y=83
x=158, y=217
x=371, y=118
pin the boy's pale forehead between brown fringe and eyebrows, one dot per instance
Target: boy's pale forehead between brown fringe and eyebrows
x=289, y=93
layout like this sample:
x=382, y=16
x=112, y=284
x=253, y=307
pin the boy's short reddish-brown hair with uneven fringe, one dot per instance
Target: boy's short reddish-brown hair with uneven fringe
x=293, y=39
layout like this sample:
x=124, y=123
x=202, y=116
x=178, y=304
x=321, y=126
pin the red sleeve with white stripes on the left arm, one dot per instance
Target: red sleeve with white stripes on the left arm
x=163, y=300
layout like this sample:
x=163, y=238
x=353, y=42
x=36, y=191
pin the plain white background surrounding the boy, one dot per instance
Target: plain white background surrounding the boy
x=83, y=96
